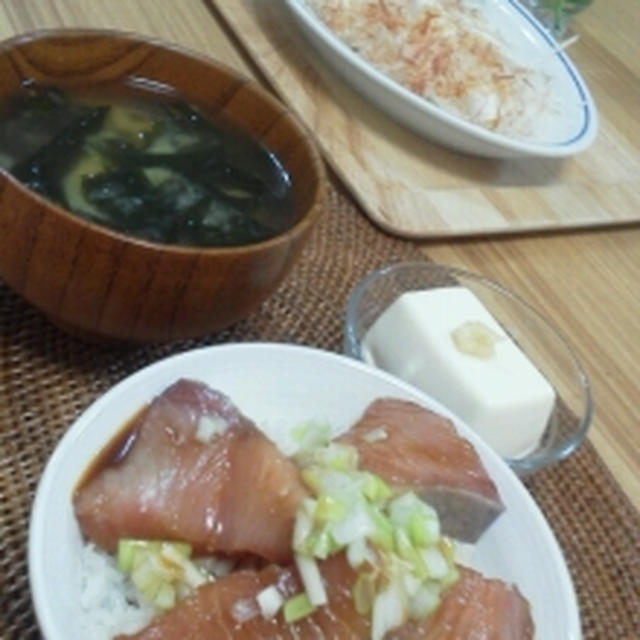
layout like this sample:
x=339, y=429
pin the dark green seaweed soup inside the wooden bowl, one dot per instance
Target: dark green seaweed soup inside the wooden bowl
x=146, y=165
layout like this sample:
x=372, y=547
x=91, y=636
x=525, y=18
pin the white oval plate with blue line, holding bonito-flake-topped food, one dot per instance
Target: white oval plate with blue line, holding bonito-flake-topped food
x=569, y=123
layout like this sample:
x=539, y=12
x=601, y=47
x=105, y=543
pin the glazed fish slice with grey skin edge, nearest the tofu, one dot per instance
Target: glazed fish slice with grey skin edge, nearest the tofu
x=414, y=448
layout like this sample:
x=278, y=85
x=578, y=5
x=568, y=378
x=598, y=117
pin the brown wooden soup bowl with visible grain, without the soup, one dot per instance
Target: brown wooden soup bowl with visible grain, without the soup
x=98, y=283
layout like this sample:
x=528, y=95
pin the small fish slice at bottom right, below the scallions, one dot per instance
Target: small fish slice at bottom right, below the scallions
x=474, y=608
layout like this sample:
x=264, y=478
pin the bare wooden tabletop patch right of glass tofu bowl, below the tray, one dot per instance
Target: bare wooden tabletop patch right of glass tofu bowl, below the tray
x=588, y=283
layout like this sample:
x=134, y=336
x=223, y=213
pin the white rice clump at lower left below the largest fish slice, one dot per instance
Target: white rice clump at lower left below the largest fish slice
x=109, y=603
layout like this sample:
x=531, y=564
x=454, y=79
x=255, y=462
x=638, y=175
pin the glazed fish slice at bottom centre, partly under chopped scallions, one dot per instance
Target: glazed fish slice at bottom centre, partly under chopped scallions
x=228, y=608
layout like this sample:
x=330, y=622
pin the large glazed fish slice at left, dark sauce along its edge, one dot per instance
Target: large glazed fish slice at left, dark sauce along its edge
x=234, y=493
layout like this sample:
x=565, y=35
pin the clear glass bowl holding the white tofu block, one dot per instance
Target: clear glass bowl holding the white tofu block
x=536, y=336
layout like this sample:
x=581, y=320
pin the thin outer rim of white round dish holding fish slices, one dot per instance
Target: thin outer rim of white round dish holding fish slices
x=154, y=373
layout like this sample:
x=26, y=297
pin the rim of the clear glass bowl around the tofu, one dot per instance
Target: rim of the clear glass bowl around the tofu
x=532, y=462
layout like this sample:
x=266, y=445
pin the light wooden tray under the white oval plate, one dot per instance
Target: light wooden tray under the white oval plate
x=413, y=188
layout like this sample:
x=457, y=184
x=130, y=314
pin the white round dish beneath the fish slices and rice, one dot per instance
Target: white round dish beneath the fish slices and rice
x=279, y=387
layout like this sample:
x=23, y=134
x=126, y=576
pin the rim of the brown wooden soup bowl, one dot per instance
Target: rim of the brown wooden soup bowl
x=301, y=226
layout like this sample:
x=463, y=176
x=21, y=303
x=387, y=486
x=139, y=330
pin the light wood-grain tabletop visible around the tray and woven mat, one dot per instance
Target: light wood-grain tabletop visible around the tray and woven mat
x=588, y=281
